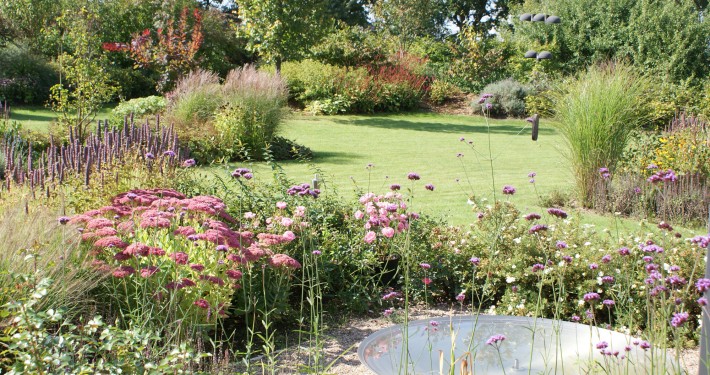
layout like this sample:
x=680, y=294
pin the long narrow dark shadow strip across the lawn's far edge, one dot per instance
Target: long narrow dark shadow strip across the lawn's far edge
x=440, y=127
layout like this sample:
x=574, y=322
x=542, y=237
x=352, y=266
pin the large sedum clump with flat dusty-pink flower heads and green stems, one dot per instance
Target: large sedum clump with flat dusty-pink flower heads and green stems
x=178, y=255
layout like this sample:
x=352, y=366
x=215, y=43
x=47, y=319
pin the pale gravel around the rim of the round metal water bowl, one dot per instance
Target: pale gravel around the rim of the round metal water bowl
x=341, y=345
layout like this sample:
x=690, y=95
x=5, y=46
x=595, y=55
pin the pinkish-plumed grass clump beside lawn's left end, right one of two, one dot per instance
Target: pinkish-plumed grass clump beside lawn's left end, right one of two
x=253, y=112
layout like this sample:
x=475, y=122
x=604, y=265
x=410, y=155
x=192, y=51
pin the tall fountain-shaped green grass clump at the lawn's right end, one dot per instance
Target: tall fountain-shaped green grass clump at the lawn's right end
x=596, y=113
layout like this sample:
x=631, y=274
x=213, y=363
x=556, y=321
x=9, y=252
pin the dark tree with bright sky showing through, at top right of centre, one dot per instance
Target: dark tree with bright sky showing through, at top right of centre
x=479, y=15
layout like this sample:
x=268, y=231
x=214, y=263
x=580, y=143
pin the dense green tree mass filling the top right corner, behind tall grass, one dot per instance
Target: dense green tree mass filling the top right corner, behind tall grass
x=666, y=38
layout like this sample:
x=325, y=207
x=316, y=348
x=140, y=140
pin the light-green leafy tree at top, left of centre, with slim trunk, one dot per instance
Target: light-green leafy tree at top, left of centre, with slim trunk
x=281, y=30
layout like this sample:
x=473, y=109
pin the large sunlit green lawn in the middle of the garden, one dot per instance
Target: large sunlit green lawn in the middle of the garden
x=428, y=144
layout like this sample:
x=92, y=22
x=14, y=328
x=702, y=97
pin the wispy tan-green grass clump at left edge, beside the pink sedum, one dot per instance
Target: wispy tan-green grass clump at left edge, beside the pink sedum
x=34, y=242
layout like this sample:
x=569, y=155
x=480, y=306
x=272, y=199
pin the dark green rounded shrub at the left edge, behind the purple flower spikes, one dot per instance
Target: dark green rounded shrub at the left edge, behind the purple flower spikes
x=24, y=77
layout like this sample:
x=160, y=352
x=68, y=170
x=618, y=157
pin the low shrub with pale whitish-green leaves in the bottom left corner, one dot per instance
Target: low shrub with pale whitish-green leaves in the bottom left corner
x=45, y=340
